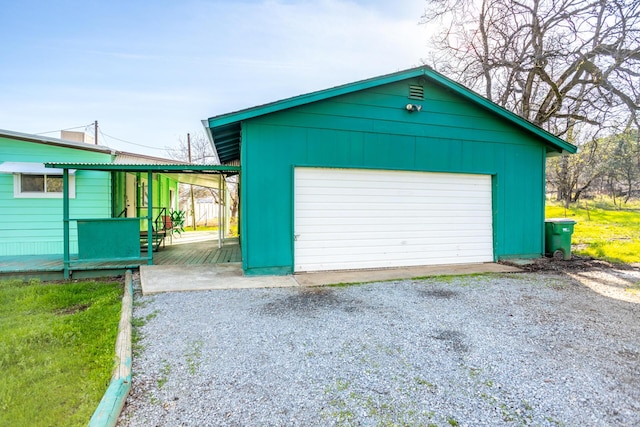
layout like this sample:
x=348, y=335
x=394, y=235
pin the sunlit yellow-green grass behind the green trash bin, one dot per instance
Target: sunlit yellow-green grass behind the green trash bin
x=602, y=231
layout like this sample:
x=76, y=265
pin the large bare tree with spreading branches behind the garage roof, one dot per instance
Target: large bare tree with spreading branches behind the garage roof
x=569, y=66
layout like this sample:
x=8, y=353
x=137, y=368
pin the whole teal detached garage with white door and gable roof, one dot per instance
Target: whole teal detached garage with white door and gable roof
x=404, y=169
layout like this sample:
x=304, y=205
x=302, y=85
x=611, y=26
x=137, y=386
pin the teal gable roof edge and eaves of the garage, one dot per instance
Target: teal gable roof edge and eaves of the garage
x=224, y=130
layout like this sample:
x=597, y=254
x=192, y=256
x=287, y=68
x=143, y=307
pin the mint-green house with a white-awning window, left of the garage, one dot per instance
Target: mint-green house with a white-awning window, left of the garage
x=31, y=196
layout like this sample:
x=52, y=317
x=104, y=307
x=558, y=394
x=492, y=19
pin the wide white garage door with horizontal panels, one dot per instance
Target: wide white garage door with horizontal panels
x=355, y=219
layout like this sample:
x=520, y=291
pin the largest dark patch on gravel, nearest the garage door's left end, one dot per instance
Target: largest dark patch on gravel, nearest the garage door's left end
x=307, y=301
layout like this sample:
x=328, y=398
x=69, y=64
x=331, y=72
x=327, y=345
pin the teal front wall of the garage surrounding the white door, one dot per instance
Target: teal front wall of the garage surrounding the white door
x=372, y=129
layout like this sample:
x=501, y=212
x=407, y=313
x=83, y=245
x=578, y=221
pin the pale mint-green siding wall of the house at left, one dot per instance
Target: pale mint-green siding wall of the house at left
x=33, y=226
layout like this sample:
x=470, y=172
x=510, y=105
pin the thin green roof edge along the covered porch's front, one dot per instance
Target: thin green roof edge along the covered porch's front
x=185, y=168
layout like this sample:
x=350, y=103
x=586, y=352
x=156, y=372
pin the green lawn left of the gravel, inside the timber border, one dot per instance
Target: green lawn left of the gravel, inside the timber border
x=56, y=350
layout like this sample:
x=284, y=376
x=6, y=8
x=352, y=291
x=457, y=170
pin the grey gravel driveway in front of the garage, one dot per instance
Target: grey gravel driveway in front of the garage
x=520, y=349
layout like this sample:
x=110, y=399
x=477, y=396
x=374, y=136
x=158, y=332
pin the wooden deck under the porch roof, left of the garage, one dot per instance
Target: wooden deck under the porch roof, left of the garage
x=190, y=250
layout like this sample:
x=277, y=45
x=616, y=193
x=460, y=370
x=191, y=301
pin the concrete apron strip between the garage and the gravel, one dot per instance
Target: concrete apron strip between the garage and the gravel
x=178, y=278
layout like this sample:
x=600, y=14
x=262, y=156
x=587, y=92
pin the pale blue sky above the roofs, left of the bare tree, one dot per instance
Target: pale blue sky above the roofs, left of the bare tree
x=150, y=71
